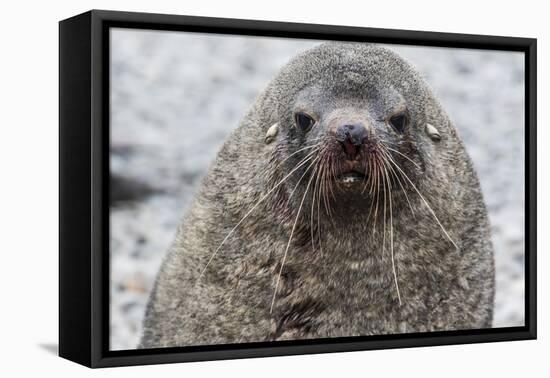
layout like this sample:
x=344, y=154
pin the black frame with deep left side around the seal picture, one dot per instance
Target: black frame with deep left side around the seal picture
x=84, y=187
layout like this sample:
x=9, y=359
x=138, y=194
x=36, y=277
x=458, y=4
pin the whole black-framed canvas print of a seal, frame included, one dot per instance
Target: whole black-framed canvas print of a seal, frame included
x=234, y=188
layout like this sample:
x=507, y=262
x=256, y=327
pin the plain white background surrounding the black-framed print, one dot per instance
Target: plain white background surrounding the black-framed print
x=29, y=186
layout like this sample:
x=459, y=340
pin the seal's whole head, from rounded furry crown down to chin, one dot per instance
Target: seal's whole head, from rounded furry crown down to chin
x=355, y=118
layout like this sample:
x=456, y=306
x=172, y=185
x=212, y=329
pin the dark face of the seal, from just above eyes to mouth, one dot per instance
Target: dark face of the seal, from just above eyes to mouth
x=353, y=133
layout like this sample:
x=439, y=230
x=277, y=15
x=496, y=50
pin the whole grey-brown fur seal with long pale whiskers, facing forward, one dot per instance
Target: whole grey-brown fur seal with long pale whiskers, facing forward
x=344, y=204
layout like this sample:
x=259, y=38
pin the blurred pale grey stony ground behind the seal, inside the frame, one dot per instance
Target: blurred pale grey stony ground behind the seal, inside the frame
x=175, y=96
